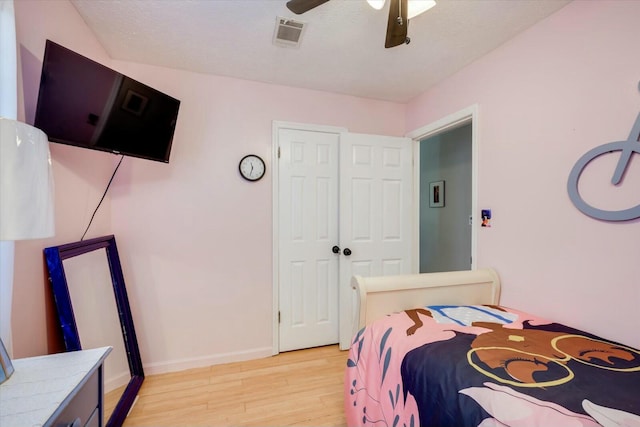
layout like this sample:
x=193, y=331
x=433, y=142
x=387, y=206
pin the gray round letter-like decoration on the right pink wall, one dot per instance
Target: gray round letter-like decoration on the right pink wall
x=626, y=149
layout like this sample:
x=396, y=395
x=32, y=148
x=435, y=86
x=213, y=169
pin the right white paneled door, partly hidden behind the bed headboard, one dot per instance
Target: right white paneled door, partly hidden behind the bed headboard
x=375, y=215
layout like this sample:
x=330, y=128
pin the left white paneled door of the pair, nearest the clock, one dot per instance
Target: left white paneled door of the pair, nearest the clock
x=308, y=229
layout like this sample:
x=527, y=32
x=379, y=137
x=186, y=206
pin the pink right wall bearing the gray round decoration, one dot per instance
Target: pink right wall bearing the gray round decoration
x=545, y=98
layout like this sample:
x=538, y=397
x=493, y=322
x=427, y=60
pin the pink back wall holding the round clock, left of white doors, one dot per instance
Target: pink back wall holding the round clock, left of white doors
x=196, y=238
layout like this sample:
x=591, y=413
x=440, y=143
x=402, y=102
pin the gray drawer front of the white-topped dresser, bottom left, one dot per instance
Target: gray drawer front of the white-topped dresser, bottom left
x=82, y=406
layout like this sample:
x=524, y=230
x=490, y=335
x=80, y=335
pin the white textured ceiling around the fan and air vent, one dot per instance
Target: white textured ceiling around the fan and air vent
x=342, y=49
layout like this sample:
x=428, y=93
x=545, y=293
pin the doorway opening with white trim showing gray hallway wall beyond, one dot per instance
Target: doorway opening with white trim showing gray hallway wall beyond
x=446, y=160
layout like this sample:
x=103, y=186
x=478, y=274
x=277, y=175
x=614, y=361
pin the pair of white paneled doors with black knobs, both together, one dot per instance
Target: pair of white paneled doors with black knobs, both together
x=346, y=190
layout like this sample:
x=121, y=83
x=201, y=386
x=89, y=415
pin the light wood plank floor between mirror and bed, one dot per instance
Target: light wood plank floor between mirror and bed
x=301, y=388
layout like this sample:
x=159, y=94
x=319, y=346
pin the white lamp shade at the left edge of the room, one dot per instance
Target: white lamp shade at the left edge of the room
x=26, y=182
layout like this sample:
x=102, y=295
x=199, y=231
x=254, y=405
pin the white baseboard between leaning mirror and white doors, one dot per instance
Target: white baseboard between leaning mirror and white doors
x=200, y=362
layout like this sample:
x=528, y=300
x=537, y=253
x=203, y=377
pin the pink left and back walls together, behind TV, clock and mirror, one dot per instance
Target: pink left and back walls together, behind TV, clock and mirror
x=194, y=238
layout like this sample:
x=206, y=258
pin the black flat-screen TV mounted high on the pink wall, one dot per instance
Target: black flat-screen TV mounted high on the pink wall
x=85, y=104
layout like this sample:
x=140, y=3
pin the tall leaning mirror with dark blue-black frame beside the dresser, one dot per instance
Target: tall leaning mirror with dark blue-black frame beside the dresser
x=93, y=310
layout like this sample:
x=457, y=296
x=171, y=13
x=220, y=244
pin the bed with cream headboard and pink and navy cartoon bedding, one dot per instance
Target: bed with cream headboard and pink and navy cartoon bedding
x=436, y=349
